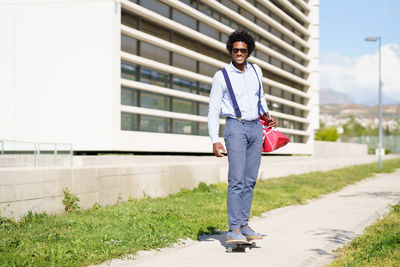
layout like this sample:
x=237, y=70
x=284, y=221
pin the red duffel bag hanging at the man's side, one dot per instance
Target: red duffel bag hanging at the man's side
x=272, y=138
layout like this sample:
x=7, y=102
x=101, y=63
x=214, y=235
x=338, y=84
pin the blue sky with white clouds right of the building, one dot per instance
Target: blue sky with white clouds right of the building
x=348, y=64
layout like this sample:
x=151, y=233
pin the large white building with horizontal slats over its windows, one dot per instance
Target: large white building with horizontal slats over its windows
x=109, y=75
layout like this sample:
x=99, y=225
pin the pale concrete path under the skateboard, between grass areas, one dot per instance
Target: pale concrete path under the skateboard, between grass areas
x=303, y=235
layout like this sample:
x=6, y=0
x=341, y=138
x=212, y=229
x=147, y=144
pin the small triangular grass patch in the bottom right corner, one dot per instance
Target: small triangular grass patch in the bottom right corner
x=378, y=246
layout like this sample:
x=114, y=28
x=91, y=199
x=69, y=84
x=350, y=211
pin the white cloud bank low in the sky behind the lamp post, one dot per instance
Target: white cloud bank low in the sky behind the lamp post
x=358, y=78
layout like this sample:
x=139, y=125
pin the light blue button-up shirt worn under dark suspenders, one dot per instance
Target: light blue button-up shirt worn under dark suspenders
x=246, y=89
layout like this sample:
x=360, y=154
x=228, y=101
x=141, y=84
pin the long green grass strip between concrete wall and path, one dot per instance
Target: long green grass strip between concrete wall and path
x=99, y=234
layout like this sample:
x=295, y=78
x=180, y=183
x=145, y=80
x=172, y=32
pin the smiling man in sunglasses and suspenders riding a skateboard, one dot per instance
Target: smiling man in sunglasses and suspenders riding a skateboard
x=243, y=136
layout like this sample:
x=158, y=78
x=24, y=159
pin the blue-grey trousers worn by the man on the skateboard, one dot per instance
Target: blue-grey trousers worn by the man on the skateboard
x=243, y=142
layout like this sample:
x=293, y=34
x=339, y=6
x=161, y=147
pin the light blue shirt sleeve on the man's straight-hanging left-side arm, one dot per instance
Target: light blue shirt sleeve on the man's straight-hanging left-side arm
x=214, y=109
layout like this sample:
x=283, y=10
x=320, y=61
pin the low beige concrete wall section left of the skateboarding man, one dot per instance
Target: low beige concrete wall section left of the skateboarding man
x=41, y=189
